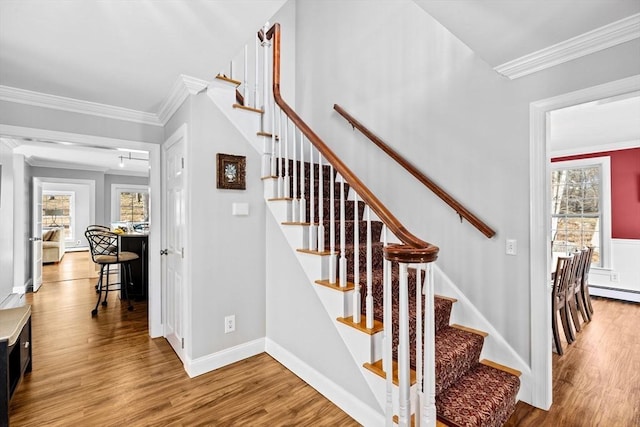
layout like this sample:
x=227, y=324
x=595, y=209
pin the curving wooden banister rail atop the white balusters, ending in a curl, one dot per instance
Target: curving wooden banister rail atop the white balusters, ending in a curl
x=421, y=250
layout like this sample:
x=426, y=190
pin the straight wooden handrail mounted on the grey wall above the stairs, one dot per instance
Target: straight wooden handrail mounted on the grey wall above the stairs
x=435, y=188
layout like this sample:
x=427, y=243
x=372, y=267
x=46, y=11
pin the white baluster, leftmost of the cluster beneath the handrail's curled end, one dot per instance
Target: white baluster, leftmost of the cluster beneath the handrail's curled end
x=387, y=356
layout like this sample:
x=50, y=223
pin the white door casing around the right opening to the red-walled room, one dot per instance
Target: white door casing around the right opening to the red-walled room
x=540, y=251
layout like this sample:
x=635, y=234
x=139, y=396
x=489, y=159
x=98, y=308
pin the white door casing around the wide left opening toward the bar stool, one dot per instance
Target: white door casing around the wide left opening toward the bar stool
x=155, y=297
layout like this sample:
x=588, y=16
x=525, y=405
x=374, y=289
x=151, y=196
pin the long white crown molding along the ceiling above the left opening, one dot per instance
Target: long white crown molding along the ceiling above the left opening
x=39, y=99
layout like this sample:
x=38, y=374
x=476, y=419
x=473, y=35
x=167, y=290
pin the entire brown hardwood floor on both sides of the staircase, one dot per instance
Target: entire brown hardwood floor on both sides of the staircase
x=107, y=371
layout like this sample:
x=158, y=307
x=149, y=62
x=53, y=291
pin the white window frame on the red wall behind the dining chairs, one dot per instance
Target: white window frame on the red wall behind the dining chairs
x=604, y=163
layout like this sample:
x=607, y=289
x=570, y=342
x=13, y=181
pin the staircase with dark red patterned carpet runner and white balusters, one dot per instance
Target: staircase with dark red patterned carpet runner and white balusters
x=367, y=285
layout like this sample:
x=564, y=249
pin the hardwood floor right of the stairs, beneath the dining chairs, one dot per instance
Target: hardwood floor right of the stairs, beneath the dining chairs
x=597, y=381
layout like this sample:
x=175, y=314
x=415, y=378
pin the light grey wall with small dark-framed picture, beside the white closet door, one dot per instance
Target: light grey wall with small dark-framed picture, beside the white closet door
x=225, y=253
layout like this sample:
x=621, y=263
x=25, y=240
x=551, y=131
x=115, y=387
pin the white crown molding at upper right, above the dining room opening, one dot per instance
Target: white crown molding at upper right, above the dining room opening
x=601, y=38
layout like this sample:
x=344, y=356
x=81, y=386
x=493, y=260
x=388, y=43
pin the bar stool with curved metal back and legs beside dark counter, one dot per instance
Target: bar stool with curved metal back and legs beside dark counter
x=105, y=251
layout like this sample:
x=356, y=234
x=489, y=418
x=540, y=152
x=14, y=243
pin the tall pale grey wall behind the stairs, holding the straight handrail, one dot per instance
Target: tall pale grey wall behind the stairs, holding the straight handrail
x=432, y=99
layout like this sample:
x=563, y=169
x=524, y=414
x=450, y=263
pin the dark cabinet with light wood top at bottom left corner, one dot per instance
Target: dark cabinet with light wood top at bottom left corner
x=15, y=354
